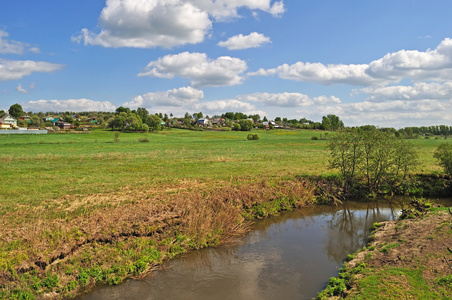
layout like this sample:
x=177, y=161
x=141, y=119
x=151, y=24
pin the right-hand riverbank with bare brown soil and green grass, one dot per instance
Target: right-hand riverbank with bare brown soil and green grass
x=405, y=259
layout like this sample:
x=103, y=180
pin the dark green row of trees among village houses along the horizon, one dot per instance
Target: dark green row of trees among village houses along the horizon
x=141, y=119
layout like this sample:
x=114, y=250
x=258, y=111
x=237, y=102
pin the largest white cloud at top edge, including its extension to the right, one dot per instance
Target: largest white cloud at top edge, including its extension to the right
x=165, y=23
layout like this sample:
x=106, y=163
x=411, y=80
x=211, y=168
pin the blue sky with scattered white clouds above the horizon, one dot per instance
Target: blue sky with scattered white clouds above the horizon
x=385, y=63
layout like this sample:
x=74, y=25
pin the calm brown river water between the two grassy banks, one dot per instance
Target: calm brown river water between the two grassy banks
x=291, y=256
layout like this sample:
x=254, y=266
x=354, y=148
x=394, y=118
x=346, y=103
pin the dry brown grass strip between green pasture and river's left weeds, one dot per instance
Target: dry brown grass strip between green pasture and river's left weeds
x=90, y=225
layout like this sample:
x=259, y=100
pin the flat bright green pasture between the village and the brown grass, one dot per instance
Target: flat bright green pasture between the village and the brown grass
x=39, y=167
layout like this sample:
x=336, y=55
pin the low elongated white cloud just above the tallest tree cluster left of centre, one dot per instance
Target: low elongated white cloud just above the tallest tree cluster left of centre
x=176, y=97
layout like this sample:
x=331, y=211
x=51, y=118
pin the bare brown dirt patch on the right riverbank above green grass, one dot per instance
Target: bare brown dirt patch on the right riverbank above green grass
x=421, y=245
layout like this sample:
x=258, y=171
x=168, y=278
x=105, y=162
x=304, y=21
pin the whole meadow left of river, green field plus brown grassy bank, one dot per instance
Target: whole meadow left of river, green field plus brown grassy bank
x=81, y=208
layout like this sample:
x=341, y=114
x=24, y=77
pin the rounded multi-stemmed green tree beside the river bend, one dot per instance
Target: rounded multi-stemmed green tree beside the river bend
x=372, y=158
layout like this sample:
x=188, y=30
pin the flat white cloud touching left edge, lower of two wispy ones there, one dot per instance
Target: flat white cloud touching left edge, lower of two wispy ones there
x=16, y=69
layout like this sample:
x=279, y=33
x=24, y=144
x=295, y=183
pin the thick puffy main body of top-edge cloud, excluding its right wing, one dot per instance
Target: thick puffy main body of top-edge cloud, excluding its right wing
x=148, y=24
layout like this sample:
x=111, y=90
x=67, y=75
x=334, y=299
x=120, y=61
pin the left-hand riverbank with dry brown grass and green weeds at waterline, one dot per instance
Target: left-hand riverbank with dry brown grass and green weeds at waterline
x=128, y=233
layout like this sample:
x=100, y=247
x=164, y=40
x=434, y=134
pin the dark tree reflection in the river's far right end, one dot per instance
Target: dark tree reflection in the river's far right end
x=349, y=228
